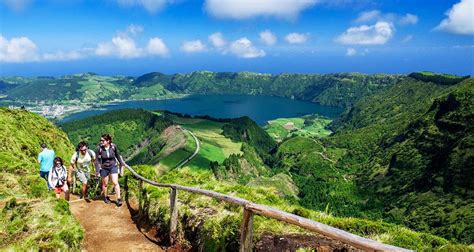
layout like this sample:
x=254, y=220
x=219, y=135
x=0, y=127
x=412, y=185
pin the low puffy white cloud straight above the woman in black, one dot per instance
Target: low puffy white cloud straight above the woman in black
x=121, y=46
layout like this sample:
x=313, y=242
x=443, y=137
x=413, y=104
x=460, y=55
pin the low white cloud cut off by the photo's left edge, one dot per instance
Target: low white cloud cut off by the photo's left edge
x=16, y=50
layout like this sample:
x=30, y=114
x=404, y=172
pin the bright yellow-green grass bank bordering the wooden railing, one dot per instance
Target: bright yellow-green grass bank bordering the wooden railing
x=216, y=224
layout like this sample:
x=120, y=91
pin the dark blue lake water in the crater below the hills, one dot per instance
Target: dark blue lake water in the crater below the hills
x=260, y=108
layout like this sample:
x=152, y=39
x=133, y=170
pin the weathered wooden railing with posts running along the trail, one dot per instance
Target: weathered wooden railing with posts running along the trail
x=251, y=208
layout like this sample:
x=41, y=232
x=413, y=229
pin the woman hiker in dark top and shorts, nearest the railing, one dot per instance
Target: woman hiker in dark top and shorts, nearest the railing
x=106, y=165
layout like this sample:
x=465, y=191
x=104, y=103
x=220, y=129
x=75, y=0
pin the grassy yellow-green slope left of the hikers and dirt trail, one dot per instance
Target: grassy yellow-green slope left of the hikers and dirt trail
x=31, y=217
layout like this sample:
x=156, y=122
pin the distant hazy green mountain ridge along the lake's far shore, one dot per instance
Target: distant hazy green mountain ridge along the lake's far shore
x=328, y=89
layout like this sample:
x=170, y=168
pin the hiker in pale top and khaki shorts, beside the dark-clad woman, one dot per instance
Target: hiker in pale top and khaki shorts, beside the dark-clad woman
x=80, y=161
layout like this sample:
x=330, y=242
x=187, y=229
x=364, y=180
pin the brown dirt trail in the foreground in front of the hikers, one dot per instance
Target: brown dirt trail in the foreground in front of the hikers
x=109, y=228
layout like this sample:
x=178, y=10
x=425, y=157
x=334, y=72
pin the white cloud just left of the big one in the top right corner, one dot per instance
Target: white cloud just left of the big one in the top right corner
x=377, y=34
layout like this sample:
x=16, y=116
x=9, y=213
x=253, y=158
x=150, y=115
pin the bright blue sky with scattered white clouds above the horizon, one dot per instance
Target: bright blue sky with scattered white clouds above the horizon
x=133, y=37
